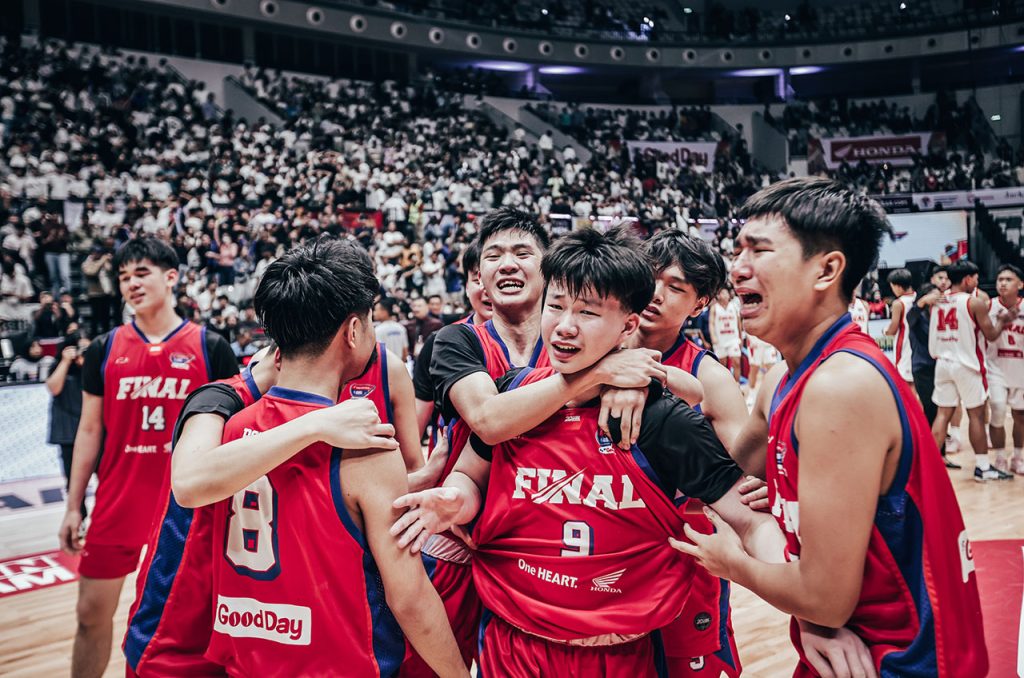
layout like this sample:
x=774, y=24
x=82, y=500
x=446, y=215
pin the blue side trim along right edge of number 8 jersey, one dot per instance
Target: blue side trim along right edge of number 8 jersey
x=390, y=645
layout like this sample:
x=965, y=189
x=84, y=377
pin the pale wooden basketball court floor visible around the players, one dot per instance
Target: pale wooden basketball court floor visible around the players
x=37, y=627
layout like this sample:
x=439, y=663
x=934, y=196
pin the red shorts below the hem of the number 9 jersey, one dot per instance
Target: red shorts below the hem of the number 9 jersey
x=510, y=653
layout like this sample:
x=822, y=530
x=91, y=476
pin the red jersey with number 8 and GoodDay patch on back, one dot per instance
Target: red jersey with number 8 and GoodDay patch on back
x=296, y=590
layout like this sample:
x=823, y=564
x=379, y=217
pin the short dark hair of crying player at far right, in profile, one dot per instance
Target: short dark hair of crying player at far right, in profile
x=824, y=215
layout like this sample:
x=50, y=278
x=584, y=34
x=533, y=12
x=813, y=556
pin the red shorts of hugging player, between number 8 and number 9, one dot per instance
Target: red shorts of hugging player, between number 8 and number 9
x=454, y=583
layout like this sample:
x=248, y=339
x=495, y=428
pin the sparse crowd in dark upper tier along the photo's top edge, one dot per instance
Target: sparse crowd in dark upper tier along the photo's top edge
x=697, y=22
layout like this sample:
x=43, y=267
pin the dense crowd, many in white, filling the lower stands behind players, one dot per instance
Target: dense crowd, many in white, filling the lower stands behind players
x=100, y=147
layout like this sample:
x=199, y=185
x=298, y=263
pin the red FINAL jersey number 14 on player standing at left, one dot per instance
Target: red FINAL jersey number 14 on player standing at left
x=145, y=387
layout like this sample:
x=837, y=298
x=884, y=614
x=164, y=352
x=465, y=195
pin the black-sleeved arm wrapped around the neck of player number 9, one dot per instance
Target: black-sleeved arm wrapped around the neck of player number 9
x=466, y=387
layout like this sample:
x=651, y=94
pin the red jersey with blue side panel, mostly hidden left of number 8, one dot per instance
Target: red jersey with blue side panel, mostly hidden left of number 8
x=170, y=622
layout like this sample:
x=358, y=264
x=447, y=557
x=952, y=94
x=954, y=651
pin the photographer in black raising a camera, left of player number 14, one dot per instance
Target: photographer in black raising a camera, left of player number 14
x=65, y=385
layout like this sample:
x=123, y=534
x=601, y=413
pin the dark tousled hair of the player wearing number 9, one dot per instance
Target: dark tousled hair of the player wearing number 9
x=611, y=264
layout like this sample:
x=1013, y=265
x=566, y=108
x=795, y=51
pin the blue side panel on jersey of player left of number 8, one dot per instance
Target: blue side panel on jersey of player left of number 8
x=159, y=581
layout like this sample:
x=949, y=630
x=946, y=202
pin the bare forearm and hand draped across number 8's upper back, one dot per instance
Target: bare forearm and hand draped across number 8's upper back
x=202, y=476
